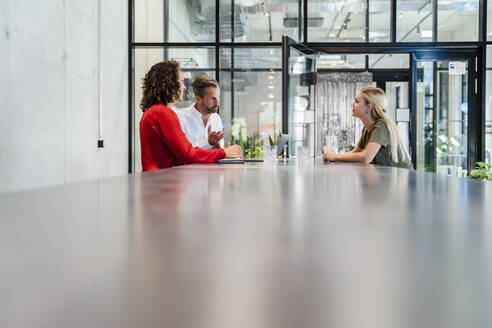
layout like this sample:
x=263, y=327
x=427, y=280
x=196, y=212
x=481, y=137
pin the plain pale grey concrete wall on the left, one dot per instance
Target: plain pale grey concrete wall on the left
x=49, y=92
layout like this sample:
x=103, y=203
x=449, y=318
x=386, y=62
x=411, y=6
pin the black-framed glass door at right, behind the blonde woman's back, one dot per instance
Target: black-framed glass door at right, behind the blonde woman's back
x=445, y=95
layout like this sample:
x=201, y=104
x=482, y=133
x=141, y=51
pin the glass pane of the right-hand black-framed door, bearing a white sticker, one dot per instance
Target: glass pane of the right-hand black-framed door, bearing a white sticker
x=442, y=111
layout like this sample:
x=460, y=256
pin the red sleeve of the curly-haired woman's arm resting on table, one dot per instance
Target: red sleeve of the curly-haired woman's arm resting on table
x=168, y=128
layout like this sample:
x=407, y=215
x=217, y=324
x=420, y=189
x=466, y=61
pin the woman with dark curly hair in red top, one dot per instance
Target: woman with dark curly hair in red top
x=163, y=143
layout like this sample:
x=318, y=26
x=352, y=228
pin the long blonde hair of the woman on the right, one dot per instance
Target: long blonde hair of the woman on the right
x=377, y=98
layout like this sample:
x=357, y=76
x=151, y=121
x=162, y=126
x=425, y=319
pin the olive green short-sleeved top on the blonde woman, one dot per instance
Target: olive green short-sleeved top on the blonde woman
x=380, y=134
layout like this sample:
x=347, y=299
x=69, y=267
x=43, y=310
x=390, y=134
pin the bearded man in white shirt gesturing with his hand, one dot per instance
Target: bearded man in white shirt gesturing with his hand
x=200, y=122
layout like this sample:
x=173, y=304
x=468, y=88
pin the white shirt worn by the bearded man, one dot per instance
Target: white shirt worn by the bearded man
x=192, y=125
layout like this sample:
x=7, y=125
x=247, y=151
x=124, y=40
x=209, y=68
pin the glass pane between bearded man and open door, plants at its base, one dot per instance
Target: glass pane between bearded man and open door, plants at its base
x=251, y=103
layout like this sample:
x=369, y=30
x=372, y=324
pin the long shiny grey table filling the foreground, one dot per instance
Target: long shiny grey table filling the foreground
x=221, y=246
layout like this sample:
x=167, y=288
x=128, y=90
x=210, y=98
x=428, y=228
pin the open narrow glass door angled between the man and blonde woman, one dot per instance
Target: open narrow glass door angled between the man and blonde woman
x=298, y=96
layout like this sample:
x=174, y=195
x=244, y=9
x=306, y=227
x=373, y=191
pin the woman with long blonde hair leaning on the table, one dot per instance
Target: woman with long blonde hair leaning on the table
x=380, y=142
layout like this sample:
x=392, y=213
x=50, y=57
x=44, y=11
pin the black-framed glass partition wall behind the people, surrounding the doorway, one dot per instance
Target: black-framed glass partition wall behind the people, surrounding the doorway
x=239, y=43
